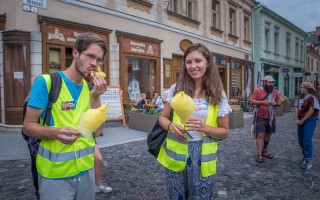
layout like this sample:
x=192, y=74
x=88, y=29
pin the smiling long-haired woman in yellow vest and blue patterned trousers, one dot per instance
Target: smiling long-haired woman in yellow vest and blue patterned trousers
x=191, y=164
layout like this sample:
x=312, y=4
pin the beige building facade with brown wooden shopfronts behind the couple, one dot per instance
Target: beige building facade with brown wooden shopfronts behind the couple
x=146, y=40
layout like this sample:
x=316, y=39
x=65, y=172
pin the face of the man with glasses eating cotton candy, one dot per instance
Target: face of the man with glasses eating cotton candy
x=88, y=60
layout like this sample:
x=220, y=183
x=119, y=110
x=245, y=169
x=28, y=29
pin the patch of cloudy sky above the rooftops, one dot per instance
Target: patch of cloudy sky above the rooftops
x=305, y=14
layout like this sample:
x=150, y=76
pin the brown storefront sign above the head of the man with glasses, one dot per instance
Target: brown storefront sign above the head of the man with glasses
x=64, y=36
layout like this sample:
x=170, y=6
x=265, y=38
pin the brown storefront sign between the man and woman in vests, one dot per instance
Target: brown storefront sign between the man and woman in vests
x=133, y=46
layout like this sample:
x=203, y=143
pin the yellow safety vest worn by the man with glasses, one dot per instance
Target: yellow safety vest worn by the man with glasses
x=56, y=159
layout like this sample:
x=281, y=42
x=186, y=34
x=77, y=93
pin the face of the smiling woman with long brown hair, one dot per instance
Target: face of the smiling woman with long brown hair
x=196, y=65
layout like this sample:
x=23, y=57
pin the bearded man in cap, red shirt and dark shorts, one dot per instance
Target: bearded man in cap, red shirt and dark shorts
x=266, y=98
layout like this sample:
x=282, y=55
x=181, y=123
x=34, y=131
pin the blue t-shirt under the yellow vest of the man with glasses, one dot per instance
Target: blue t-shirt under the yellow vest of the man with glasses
x=39, y=93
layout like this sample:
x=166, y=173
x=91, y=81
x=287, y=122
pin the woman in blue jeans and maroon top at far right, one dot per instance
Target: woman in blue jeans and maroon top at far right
x=307, y=112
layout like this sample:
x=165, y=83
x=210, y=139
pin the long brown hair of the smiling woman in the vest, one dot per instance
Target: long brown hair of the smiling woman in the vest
x=212, y=86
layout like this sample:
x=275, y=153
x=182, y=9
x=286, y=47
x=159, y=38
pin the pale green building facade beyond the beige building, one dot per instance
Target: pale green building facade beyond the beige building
x=279, y=50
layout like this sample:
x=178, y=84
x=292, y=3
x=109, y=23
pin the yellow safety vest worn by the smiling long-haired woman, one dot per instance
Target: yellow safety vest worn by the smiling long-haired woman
x=174, y=152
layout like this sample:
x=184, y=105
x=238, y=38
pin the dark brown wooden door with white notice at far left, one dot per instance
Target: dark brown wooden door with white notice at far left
x=16, y=74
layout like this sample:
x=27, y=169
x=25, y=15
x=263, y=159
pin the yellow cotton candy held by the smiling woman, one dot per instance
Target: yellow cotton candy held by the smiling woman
x=183, y=106
